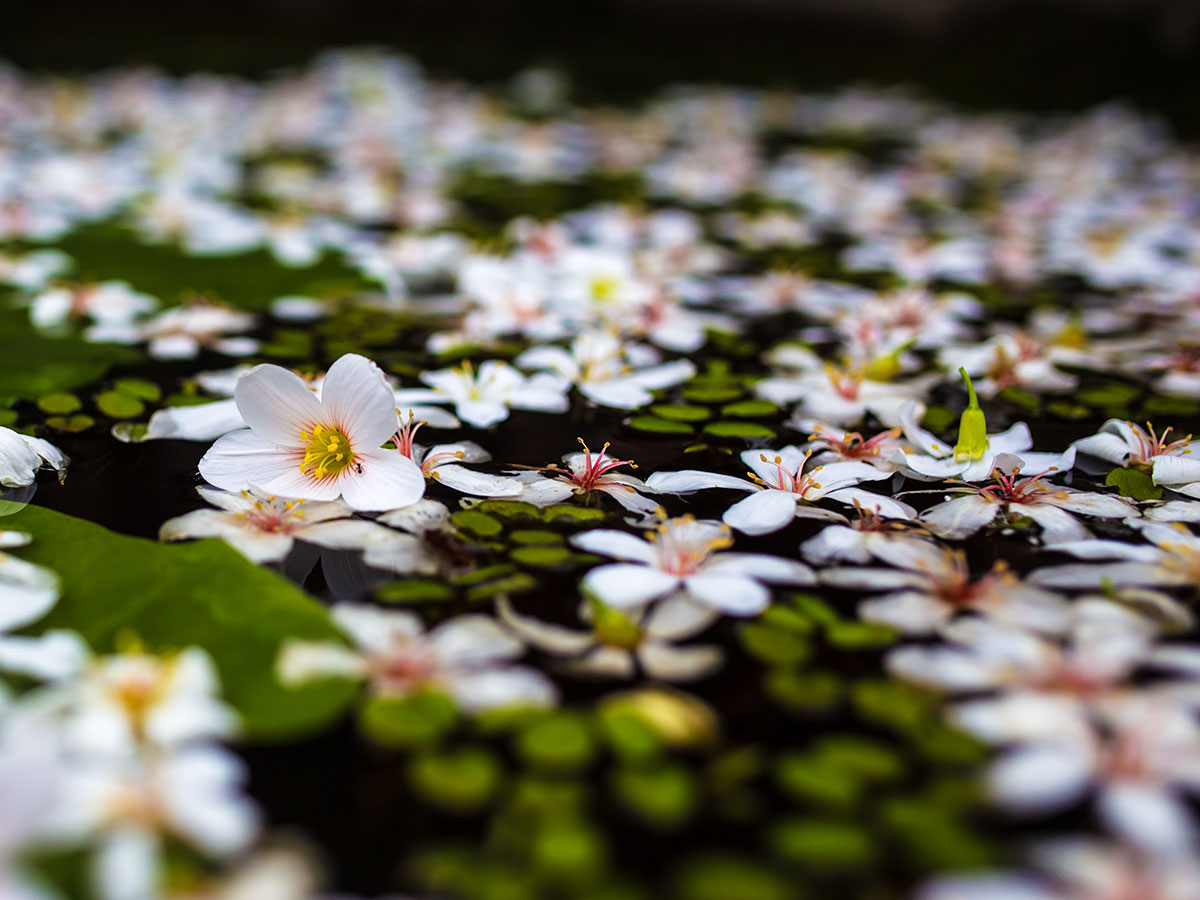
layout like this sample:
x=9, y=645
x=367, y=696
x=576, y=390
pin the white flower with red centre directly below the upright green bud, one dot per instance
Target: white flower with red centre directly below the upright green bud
x=1053, y=508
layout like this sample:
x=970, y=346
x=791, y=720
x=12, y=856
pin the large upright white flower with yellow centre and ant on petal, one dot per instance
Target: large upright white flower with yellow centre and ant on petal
x=323, y=449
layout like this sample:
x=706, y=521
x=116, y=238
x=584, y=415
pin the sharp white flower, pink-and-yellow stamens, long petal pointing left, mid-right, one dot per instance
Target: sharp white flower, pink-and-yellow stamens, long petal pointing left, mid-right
x=781, y=490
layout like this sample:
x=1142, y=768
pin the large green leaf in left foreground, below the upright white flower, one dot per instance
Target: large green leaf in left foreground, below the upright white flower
x=172, y=596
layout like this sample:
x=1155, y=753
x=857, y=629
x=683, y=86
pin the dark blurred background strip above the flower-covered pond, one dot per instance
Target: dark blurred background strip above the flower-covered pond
x=1034, y=55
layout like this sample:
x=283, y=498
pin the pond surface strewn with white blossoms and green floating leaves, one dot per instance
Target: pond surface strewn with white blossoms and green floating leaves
x=877, y=376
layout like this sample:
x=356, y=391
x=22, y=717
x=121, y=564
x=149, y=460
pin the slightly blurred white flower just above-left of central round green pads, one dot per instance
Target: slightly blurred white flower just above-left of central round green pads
x=607, y=371
